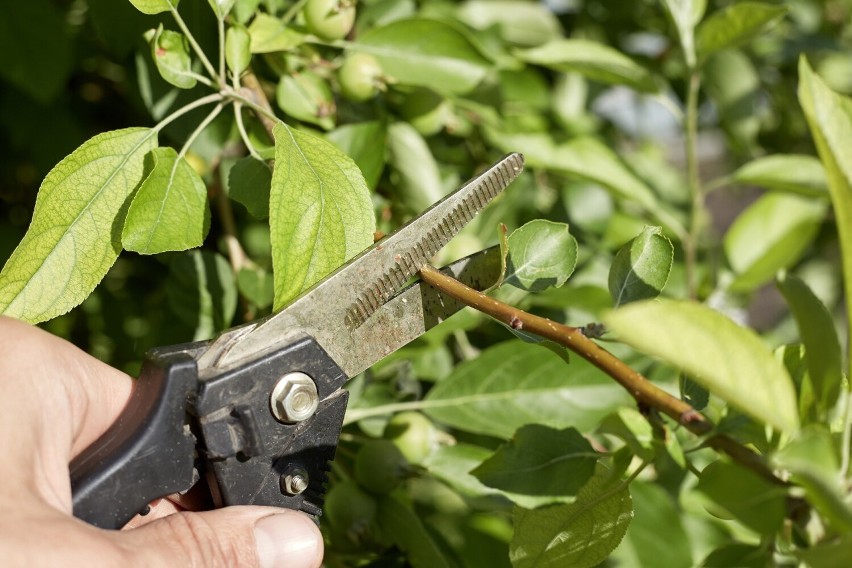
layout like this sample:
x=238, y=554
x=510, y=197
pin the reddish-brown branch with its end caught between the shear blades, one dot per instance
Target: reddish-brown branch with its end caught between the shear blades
x=645, y=392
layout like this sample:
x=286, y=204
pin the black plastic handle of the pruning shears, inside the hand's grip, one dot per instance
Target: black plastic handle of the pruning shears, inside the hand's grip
x=147, y=453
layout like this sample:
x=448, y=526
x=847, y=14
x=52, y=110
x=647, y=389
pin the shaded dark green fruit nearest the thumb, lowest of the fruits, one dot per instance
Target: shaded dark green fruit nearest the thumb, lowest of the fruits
x=350, y=511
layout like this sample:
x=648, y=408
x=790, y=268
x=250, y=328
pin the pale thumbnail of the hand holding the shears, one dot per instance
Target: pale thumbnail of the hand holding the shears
x=288, y=539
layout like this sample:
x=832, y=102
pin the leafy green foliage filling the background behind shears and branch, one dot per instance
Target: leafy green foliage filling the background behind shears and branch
x=678, y=155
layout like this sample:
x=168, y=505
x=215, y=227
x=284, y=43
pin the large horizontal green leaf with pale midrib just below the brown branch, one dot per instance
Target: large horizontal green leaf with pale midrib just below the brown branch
x=512, y=384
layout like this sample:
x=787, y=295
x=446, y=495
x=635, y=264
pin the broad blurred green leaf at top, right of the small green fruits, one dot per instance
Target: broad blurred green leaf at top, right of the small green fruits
x=425, y=53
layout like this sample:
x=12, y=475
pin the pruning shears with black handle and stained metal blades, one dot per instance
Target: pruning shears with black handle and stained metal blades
x=257, y=411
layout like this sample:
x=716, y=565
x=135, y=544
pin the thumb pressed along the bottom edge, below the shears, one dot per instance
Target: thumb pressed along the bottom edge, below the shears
x=233, y=536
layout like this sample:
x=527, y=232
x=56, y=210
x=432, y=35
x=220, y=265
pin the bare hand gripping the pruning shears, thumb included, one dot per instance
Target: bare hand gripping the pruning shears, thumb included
x=54, y=401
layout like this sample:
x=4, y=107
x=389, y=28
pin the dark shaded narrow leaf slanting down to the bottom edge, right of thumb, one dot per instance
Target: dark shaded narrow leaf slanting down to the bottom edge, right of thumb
x=402, y=526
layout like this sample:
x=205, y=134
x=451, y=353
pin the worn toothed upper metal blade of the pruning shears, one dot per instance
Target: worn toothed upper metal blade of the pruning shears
x=338, y=311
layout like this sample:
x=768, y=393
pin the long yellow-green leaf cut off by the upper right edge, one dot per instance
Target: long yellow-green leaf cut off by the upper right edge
x=830, y=118
